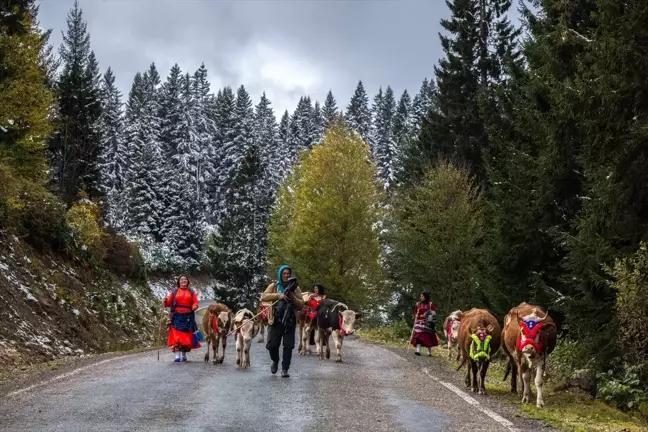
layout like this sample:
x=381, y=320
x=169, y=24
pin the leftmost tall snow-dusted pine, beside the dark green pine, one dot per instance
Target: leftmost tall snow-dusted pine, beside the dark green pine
x=113, y=160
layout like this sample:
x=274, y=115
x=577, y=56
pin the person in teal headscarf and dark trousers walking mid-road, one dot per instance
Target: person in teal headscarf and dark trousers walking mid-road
x=282, y=317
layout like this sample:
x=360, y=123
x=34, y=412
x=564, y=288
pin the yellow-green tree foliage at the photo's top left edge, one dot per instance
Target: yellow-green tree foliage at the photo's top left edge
x=25, y=101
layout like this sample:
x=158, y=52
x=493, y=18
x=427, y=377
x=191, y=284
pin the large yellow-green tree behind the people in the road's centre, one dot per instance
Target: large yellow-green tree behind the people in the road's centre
x=325, y=221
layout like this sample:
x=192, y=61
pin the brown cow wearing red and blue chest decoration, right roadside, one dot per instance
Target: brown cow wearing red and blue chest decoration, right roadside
x=529, y=336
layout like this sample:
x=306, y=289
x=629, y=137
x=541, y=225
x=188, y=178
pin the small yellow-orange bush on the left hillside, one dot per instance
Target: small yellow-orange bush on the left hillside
x=84, y=218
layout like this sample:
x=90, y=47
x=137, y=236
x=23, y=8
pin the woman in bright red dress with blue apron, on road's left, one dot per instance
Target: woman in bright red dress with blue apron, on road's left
x=183, y=302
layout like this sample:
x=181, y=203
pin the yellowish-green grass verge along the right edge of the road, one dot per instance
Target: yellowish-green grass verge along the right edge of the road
x=570, y=411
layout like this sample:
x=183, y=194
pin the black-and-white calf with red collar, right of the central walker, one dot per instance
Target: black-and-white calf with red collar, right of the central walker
x=337, y=319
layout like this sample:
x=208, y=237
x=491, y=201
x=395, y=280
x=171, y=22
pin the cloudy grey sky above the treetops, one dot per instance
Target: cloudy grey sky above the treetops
x=288, y=48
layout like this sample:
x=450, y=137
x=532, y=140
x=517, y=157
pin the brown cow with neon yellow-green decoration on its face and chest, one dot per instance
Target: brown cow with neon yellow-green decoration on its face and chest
x=480, y=336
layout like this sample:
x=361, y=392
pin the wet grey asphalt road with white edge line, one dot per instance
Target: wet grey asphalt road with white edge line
x=375, y=389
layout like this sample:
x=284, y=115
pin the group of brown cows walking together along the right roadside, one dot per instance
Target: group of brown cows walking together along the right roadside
x=528, y=336
